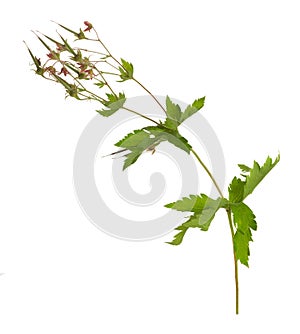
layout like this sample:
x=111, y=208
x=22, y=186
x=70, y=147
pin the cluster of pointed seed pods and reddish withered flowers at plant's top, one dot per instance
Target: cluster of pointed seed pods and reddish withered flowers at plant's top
x=79, y=69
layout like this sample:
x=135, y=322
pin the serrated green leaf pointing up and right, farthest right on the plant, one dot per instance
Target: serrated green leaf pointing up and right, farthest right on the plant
x=257, y=173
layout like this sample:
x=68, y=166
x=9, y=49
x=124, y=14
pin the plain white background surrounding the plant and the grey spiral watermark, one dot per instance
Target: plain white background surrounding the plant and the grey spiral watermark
x=61, y=274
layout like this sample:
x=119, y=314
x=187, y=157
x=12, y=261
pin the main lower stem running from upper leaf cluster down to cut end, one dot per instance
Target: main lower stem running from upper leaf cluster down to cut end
x=228, y=210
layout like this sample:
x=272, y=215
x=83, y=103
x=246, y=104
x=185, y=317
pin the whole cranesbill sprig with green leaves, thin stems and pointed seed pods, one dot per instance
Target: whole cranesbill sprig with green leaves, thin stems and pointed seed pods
x=87, y=70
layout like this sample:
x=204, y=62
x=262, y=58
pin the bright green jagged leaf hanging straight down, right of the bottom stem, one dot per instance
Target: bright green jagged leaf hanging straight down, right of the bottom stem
x=244, y=221
